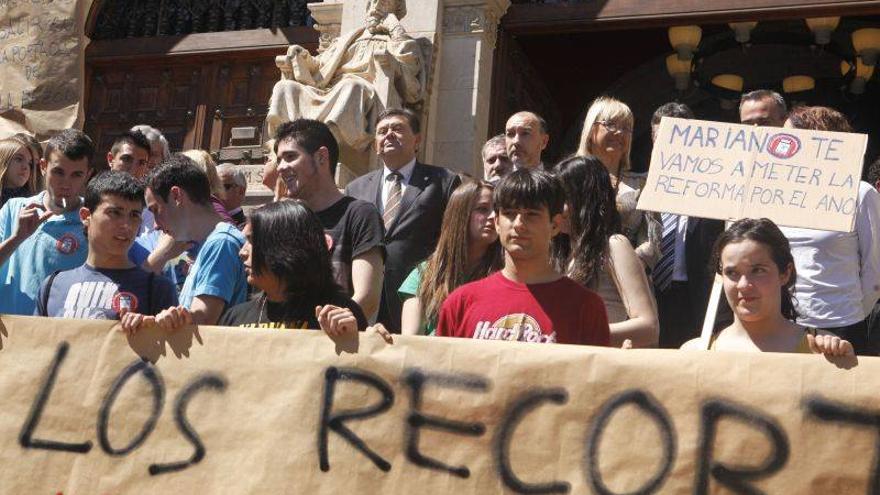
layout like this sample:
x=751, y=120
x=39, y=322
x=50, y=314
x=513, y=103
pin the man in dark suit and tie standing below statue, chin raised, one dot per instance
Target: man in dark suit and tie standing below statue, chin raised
x=411, y=197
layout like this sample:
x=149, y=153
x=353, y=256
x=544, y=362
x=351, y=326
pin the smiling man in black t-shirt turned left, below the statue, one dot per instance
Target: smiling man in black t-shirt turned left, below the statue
x=307, y=156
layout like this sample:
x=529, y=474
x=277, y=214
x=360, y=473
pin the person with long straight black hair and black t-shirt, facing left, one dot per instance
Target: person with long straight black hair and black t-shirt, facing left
x=286, y=257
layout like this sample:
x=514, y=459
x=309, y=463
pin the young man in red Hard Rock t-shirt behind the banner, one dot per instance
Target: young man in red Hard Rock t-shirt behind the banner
x=528, y=300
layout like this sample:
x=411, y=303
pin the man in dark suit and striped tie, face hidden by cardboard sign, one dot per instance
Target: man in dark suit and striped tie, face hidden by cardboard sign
x=683, y=275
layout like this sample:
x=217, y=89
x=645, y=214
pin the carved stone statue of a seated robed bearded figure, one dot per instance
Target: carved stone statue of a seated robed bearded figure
x=356, y=77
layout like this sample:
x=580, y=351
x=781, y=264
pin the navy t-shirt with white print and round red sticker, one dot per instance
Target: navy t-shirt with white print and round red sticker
x=100, y=293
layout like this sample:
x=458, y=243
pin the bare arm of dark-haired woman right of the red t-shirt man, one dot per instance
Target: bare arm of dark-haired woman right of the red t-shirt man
x=627, y=271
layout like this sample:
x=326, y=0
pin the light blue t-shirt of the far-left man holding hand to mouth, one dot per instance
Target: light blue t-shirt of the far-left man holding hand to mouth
x=58, y=244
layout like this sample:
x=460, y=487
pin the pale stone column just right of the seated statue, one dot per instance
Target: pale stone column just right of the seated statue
x=460, y=104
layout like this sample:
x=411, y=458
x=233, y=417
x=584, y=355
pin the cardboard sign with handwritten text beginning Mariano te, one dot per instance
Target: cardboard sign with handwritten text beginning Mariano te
x=794, y=177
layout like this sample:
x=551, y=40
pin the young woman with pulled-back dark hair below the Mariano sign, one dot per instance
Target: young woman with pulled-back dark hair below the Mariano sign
x=755, y=262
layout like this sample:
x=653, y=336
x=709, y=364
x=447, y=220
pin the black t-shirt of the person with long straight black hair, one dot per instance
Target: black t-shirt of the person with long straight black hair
x=262, y=313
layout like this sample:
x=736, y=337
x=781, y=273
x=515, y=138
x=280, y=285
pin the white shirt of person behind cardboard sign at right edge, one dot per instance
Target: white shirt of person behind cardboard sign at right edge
x=838, y=273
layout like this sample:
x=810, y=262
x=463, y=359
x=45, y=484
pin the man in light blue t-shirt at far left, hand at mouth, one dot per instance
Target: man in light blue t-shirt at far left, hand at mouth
x=42, y=234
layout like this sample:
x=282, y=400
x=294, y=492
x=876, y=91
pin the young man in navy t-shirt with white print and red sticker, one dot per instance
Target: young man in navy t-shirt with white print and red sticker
x=108, y=285
